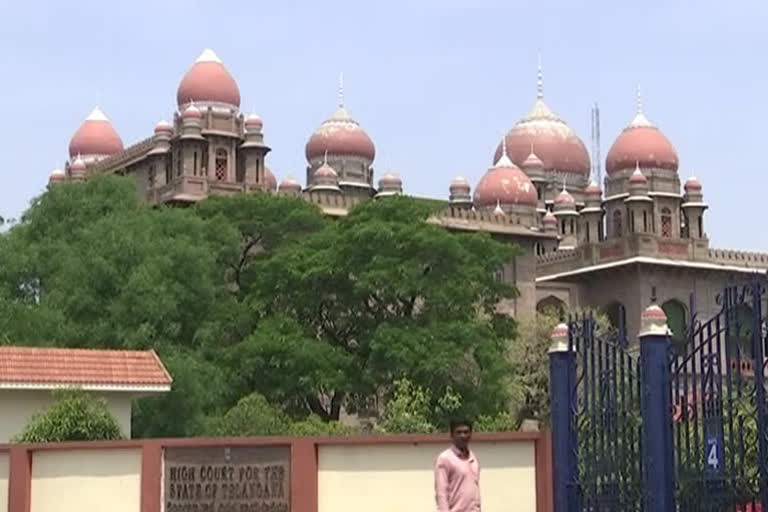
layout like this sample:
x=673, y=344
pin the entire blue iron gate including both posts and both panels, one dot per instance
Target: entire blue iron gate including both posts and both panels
x=680, y=428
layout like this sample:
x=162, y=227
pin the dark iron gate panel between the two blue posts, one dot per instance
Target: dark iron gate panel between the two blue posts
x=605, y=419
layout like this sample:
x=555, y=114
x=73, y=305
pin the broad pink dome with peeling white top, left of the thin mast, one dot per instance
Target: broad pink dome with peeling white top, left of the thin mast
x=557, y=146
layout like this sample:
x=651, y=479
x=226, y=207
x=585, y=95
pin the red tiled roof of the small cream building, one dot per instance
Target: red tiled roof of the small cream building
x=22, y=367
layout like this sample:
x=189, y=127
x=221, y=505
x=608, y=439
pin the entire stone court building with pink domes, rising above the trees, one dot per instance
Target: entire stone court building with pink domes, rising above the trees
x=582, y=247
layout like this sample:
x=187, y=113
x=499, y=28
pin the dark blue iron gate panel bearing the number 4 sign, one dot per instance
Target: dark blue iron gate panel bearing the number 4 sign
x=719, y=407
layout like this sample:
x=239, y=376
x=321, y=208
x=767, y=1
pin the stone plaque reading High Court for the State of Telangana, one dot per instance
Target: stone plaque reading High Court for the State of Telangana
x=218, y=479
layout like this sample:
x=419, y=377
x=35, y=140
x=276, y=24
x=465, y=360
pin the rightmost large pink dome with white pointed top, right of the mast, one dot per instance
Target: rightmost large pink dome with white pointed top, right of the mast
x=641, y=142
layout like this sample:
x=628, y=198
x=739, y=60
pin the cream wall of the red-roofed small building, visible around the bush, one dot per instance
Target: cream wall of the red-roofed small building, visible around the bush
x=18, y=406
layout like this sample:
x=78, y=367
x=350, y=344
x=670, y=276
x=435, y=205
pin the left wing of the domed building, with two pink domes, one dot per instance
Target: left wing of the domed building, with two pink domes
x=209, y=147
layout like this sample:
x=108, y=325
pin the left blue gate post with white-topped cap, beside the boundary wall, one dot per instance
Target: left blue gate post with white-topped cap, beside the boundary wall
x=562, y=371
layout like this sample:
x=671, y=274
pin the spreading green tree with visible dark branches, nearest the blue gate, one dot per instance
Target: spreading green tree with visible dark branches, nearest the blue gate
x=380, y=295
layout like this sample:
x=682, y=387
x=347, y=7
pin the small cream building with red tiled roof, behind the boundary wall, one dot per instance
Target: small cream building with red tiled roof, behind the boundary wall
x=29, y=375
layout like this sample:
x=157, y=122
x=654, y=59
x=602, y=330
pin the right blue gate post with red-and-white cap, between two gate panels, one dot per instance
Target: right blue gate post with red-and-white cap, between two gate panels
x=656, y=405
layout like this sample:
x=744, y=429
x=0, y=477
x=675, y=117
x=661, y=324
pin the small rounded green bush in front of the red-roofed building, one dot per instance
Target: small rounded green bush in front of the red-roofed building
x=74, y=416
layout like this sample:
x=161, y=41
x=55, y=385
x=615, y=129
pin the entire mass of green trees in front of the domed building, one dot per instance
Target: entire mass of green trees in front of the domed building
x=263, y=294
